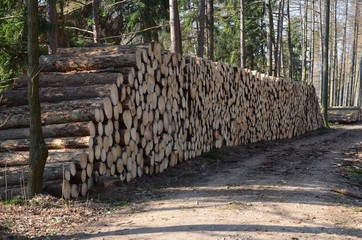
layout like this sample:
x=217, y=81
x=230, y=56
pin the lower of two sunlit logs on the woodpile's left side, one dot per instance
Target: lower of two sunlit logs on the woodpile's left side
x=20, y=158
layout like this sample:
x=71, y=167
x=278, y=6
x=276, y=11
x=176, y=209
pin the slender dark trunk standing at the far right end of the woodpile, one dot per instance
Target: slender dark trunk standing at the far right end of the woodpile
x=326, y=63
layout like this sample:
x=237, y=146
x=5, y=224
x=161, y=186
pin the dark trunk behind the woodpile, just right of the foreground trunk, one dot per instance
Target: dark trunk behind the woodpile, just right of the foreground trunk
x=52, y=20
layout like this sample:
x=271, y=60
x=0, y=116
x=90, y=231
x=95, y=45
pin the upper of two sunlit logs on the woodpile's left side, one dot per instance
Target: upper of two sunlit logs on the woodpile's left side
x=52, y=143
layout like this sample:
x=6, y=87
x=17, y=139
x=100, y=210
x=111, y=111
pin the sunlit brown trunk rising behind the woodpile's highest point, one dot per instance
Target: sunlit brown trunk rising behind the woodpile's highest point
x=175, y=29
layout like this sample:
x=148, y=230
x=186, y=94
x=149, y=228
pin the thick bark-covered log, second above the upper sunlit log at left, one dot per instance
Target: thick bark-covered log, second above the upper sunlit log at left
x=52, y=113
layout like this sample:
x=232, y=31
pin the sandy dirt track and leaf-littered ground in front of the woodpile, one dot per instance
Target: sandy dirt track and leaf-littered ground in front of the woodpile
x=309, y=188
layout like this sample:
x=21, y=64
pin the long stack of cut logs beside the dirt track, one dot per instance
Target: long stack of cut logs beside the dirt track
x=156, y=109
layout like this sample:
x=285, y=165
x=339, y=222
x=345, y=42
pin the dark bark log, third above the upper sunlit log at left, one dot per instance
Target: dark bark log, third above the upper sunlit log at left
x=19, y=97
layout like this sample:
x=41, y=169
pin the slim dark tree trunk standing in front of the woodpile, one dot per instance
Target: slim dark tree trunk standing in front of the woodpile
x=38, y=151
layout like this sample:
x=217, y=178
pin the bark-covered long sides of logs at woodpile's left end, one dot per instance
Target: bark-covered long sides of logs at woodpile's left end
x=68, y=101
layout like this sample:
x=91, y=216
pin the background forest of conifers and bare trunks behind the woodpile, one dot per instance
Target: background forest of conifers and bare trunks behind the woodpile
x=281, y=38
